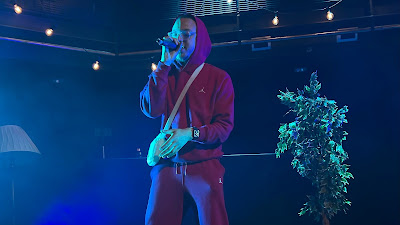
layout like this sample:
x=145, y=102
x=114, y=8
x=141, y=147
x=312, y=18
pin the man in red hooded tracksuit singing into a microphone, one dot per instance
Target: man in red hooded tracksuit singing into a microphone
x=190, y=163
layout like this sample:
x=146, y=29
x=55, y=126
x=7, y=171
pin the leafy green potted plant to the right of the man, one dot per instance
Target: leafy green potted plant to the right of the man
x=315, y=139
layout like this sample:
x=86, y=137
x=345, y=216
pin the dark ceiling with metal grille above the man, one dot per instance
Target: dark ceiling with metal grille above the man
x=131, y=27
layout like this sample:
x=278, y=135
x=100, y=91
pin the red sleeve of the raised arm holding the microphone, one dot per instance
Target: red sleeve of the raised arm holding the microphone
x=153, y=95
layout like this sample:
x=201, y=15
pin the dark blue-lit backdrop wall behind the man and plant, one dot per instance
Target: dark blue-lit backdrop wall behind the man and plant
x=55, y=96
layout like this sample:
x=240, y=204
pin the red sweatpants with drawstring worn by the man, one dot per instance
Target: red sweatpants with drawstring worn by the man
x=203, y=181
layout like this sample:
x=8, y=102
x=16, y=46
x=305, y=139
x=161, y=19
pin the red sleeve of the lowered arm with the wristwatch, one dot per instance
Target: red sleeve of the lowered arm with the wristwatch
x=221, y=125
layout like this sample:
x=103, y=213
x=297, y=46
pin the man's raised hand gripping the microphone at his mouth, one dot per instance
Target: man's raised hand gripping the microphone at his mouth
x=170, y=49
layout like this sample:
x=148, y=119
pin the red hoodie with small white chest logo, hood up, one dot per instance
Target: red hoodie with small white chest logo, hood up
x=208, y=104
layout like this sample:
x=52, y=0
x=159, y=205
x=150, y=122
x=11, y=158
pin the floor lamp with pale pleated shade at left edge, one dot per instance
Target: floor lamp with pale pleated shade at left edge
x=16, y=149
